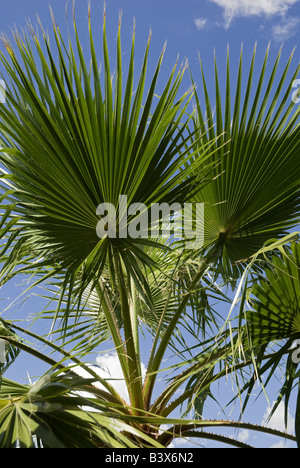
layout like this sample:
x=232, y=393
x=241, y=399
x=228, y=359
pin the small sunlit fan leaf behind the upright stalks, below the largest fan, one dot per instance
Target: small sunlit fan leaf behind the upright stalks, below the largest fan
x=167, y=284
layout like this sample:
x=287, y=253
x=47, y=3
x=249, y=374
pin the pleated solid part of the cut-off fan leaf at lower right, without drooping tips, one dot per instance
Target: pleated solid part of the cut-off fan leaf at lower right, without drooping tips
x=276, y=300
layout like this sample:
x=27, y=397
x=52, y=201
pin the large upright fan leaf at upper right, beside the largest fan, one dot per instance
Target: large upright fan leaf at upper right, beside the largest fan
x=255, y=194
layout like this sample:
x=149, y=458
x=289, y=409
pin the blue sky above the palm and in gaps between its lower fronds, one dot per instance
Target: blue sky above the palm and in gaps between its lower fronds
x=190, y=27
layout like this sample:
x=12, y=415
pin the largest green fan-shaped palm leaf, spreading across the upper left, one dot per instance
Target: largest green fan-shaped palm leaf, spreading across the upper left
x=70, y=143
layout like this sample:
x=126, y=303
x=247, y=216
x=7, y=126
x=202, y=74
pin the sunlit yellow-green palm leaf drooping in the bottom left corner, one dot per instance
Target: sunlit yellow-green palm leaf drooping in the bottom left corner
x=51, y=414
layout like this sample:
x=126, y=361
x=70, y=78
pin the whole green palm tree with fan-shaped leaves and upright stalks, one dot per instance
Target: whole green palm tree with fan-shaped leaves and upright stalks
x=71, y=143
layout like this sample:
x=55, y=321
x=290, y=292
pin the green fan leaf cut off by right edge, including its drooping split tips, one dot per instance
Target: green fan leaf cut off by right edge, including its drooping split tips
x=274, y=302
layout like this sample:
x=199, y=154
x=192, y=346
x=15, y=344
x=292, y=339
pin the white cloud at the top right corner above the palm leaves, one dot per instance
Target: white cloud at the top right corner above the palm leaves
x=246, y=8
